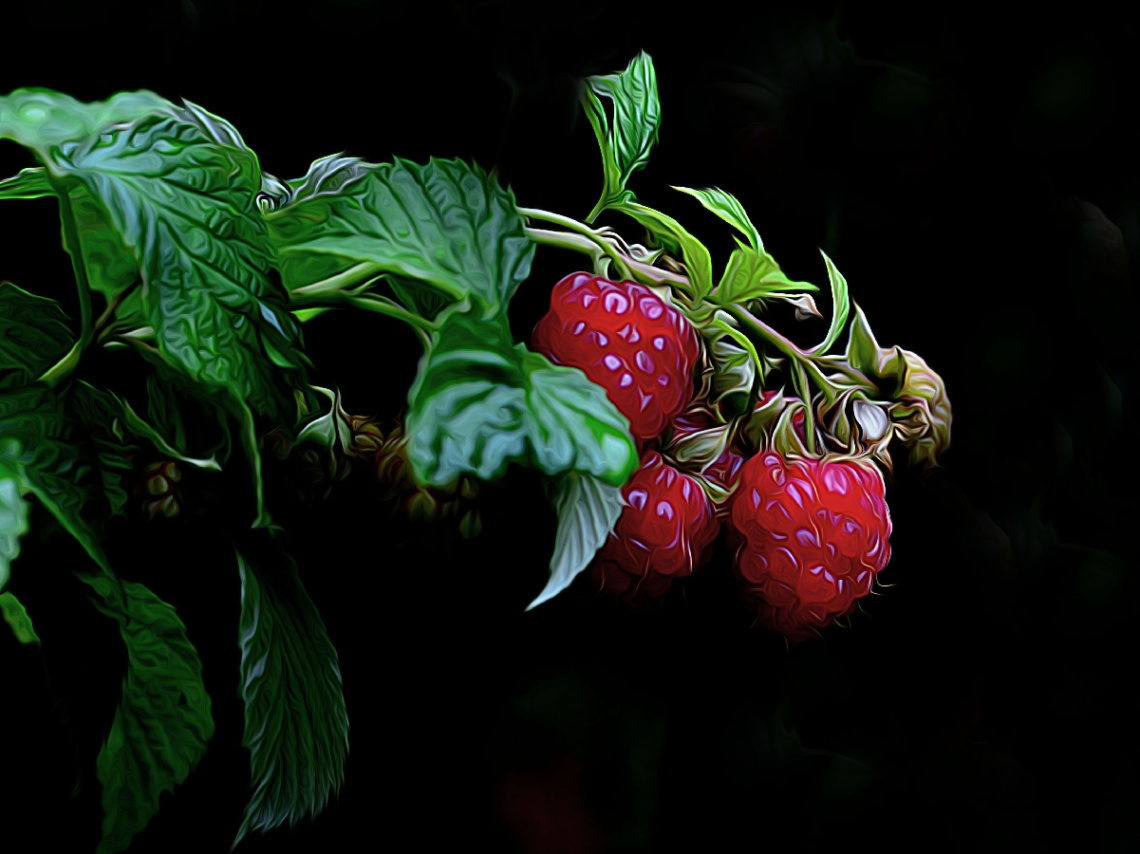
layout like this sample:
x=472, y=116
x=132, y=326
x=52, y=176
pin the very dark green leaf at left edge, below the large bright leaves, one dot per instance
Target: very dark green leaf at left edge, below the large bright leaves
x=35, y=335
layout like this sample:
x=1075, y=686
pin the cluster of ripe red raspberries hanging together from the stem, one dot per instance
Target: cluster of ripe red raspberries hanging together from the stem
x=809, y=535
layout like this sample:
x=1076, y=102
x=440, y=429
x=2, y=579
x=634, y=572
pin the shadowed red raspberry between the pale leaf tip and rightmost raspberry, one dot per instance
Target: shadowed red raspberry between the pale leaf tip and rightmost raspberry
x=665, y=533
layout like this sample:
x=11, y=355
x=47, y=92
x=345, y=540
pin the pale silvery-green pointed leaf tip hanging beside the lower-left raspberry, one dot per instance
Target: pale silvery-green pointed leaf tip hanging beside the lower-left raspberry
x=588, y=511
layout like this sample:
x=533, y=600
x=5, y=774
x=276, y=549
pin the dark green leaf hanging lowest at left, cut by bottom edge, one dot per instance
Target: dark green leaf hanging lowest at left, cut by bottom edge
x=162, y=723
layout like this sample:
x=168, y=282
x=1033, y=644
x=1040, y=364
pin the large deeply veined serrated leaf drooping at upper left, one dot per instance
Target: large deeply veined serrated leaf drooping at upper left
x=189, y=217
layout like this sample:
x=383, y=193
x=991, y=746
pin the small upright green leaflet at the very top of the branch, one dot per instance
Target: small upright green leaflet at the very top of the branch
x=626, y=142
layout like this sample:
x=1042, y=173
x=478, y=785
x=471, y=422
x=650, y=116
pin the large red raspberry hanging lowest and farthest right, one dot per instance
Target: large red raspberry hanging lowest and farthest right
x=811, y=536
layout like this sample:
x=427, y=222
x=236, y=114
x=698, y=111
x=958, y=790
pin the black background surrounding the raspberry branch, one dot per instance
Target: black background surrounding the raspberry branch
x=975, y=181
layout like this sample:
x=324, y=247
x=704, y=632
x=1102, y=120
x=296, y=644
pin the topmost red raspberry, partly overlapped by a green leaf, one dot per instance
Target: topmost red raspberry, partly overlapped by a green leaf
x=629, y=341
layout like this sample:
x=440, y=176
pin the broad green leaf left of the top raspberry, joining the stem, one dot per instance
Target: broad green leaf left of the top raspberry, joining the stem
x=446, y=224
